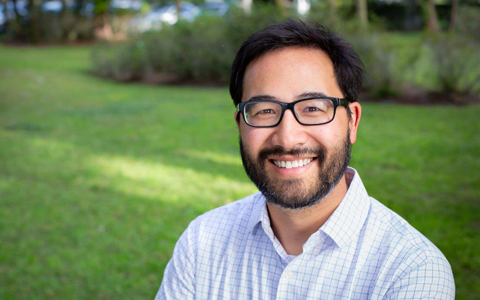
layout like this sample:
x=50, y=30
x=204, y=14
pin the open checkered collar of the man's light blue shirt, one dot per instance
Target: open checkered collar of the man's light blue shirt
x=343, y=225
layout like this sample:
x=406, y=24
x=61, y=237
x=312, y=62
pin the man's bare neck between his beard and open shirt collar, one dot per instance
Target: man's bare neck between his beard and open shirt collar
x=294, y=227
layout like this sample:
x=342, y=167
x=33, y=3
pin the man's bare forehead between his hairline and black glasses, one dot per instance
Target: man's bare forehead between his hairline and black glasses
x=289, y=72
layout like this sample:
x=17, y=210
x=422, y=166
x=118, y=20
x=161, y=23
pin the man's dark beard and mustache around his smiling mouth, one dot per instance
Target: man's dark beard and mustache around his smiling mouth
x=297, y=193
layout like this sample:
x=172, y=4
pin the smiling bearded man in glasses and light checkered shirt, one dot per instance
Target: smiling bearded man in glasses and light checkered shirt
x=312, y=232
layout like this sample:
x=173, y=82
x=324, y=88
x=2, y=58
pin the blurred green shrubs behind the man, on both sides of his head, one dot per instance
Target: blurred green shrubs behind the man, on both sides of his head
x=202, y=51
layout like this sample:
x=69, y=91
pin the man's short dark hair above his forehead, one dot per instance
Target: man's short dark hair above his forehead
x=346, y=63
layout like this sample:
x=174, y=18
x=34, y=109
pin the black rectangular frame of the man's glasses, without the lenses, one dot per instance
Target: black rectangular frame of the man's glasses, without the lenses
x=336, y=103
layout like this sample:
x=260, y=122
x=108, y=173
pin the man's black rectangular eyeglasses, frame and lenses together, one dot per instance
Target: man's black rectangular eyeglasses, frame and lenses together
x=309, y=111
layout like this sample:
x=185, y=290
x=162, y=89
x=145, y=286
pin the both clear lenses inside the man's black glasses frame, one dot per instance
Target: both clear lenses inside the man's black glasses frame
x=311, y=112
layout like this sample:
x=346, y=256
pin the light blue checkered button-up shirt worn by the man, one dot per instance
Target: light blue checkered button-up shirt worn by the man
x=363, y=251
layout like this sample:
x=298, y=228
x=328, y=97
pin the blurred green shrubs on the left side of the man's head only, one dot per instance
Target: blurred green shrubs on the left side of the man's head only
x=201, y=51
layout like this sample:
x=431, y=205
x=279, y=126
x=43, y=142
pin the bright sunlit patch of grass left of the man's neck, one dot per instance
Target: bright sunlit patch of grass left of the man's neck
x=167, y=183
